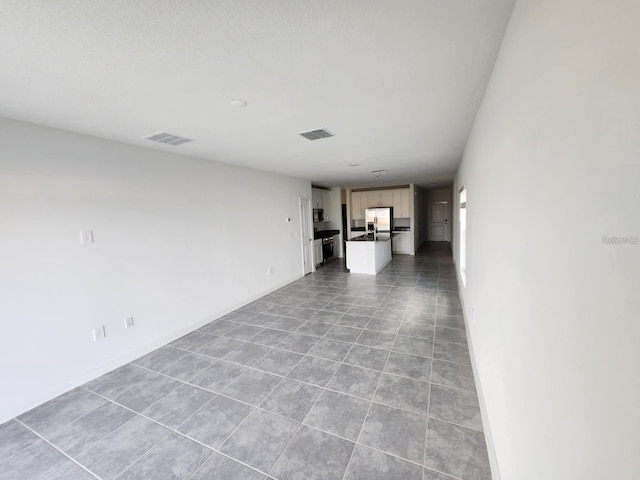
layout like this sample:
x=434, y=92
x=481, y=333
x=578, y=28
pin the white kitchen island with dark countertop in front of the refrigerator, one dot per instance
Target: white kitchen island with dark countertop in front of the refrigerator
x=368, y=255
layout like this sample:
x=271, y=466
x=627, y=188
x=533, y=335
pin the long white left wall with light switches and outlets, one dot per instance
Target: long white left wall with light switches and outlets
x=177, y=241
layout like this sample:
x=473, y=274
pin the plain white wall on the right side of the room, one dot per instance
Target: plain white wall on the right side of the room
x=552, y=165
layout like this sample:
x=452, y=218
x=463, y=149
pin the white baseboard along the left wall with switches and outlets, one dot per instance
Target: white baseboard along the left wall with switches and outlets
x=89, y=375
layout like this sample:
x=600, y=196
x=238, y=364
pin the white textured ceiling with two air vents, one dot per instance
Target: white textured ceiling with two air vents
x=398, y=82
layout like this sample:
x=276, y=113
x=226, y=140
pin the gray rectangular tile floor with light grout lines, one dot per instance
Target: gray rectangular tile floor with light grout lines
x=335, y=376
